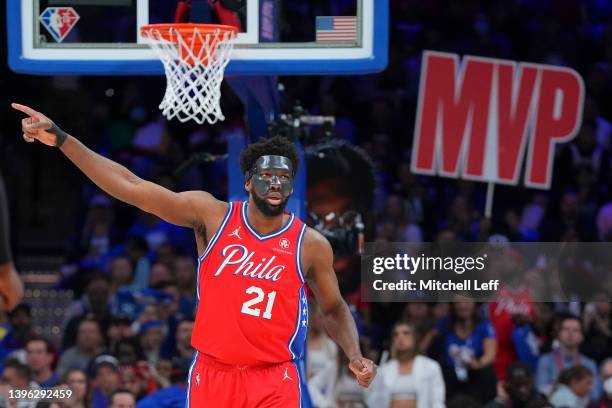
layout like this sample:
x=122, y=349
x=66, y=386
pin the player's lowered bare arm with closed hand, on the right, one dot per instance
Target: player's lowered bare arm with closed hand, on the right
x=337, y=317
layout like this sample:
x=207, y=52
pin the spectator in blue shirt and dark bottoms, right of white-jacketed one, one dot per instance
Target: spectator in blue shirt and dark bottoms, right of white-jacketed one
x=469, y=350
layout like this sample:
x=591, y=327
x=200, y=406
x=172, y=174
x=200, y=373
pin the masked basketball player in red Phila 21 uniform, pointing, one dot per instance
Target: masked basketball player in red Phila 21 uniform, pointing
x=252, y=316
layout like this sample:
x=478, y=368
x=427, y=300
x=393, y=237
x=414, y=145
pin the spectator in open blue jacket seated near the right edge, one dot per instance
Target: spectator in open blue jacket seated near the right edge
x=570, y=338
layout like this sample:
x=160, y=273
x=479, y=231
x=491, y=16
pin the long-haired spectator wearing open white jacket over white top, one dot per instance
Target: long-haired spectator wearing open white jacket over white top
x=408, y=378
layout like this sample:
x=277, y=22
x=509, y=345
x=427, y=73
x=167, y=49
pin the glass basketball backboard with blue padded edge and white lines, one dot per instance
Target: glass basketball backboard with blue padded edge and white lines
x=277, y=37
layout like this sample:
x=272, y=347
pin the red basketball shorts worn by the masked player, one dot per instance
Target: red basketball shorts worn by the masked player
x=213, y=384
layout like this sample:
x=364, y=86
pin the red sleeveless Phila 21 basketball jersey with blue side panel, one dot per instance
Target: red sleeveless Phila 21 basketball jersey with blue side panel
x=252, y=308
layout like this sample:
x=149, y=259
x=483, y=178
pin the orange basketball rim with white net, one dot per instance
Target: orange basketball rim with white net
x=194, y=58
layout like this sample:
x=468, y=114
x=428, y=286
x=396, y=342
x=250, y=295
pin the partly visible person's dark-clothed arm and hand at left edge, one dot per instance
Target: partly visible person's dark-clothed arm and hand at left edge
x=11, y=288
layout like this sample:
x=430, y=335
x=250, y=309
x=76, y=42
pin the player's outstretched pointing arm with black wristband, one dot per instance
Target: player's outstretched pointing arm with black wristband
x=185, y=209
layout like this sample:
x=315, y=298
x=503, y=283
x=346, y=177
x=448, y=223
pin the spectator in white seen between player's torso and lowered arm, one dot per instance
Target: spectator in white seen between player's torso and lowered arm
x=320, y=348
